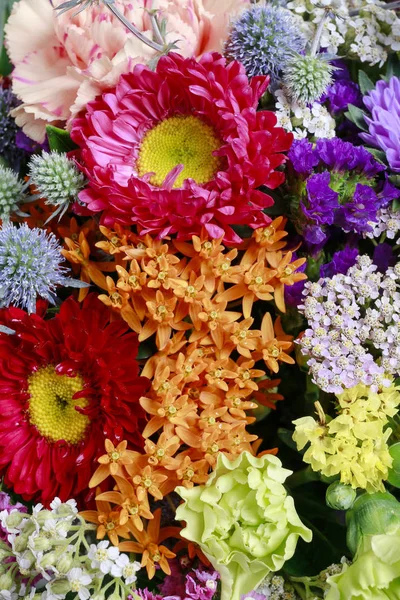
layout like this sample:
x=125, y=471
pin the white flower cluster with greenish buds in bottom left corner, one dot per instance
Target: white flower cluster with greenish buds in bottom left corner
x=47, y=547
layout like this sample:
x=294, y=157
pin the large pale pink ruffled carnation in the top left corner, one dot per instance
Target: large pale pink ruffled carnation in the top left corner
x=63, y=62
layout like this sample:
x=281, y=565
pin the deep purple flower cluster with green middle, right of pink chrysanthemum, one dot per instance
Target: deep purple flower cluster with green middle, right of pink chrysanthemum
x=338, y=188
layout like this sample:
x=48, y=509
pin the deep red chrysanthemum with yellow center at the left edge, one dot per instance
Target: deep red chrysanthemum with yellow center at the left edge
x=66, y=384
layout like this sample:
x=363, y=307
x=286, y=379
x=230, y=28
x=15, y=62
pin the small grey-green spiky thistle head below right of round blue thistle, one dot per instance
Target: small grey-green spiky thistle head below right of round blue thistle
x=307, y=77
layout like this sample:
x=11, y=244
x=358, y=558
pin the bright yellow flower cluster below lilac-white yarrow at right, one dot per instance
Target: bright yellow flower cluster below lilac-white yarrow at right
x=354, y=443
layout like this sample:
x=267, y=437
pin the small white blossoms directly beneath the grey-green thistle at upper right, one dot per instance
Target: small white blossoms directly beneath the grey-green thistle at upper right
x=304, y=120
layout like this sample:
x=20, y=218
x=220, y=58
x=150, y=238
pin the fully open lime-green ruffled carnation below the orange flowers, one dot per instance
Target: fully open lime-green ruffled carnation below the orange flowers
x=243, y=520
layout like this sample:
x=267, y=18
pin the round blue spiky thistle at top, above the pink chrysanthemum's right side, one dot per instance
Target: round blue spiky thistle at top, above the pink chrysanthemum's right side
x=263, y=38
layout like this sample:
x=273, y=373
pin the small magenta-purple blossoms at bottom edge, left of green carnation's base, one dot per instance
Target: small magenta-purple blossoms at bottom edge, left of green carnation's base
x=196, y=585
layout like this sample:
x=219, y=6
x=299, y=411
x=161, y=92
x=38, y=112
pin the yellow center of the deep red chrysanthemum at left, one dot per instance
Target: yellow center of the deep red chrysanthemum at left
x=52, y=407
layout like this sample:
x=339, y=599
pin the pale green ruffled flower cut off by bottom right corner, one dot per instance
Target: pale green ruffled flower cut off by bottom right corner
x=374, y=575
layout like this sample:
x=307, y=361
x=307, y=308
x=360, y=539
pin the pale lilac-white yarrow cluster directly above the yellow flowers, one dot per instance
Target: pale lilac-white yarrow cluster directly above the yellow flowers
x=354, y=327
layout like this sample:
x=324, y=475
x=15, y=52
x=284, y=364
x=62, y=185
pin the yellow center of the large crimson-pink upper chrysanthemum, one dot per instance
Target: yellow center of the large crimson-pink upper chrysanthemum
x=180, y=140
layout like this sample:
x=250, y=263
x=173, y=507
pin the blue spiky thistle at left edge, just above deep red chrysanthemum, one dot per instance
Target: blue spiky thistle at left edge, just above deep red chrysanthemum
x=30, y=267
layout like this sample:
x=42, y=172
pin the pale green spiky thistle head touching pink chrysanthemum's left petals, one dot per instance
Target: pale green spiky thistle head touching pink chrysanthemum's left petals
x=57, y=179
